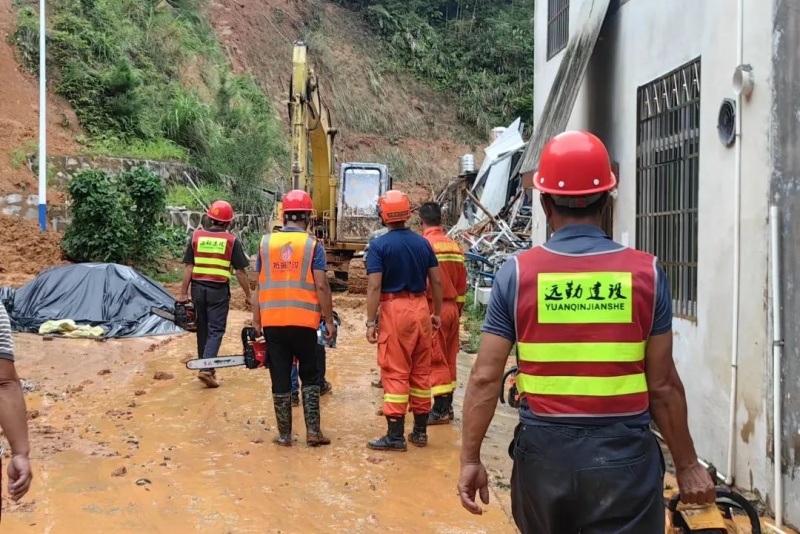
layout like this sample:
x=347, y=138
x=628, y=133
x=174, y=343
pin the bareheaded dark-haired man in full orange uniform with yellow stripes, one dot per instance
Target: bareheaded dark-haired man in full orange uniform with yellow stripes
x=446, y=342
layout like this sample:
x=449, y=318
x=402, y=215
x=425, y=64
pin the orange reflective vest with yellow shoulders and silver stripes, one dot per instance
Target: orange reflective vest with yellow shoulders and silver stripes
x=287, y=294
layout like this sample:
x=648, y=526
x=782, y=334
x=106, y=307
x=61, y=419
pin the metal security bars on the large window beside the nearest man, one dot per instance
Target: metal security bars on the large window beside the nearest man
x=667, y=179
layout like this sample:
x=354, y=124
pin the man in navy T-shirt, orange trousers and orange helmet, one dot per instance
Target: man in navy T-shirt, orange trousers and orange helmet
x=399, y=265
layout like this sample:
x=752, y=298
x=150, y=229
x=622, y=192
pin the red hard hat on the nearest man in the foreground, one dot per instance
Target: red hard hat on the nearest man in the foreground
x=574, y=164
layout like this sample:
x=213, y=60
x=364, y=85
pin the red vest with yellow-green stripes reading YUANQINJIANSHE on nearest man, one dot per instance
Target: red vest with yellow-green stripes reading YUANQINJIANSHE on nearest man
x=581, y=339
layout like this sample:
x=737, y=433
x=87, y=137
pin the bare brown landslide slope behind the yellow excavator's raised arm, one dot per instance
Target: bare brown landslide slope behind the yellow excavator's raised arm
x=382, y=115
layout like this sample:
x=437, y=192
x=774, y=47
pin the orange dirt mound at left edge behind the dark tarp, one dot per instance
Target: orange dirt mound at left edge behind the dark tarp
x=25, y=250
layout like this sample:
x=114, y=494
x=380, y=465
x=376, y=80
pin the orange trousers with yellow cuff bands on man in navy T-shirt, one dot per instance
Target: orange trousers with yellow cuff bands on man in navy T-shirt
x=404, y=353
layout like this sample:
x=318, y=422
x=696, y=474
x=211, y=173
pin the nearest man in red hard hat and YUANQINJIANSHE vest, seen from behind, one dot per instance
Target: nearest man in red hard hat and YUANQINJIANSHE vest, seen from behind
x=592, y=320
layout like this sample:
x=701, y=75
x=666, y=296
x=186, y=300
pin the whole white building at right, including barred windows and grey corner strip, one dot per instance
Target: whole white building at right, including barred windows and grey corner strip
x=655, y=86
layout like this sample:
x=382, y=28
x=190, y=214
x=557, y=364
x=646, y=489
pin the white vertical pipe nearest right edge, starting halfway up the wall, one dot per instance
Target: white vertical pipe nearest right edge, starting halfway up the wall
x=777, y=356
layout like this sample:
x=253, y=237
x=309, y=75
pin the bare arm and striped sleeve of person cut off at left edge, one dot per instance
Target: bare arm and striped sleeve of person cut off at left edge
x=13, y=415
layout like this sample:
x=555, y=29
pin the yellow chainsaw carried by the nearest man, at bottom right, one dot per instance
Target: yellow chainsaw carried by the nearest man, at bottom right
x=717, y=518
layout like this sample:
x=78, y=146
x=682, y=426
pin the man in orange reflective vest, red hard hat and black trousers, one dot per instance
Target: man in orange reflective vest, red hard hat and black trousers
x=293, y=293
